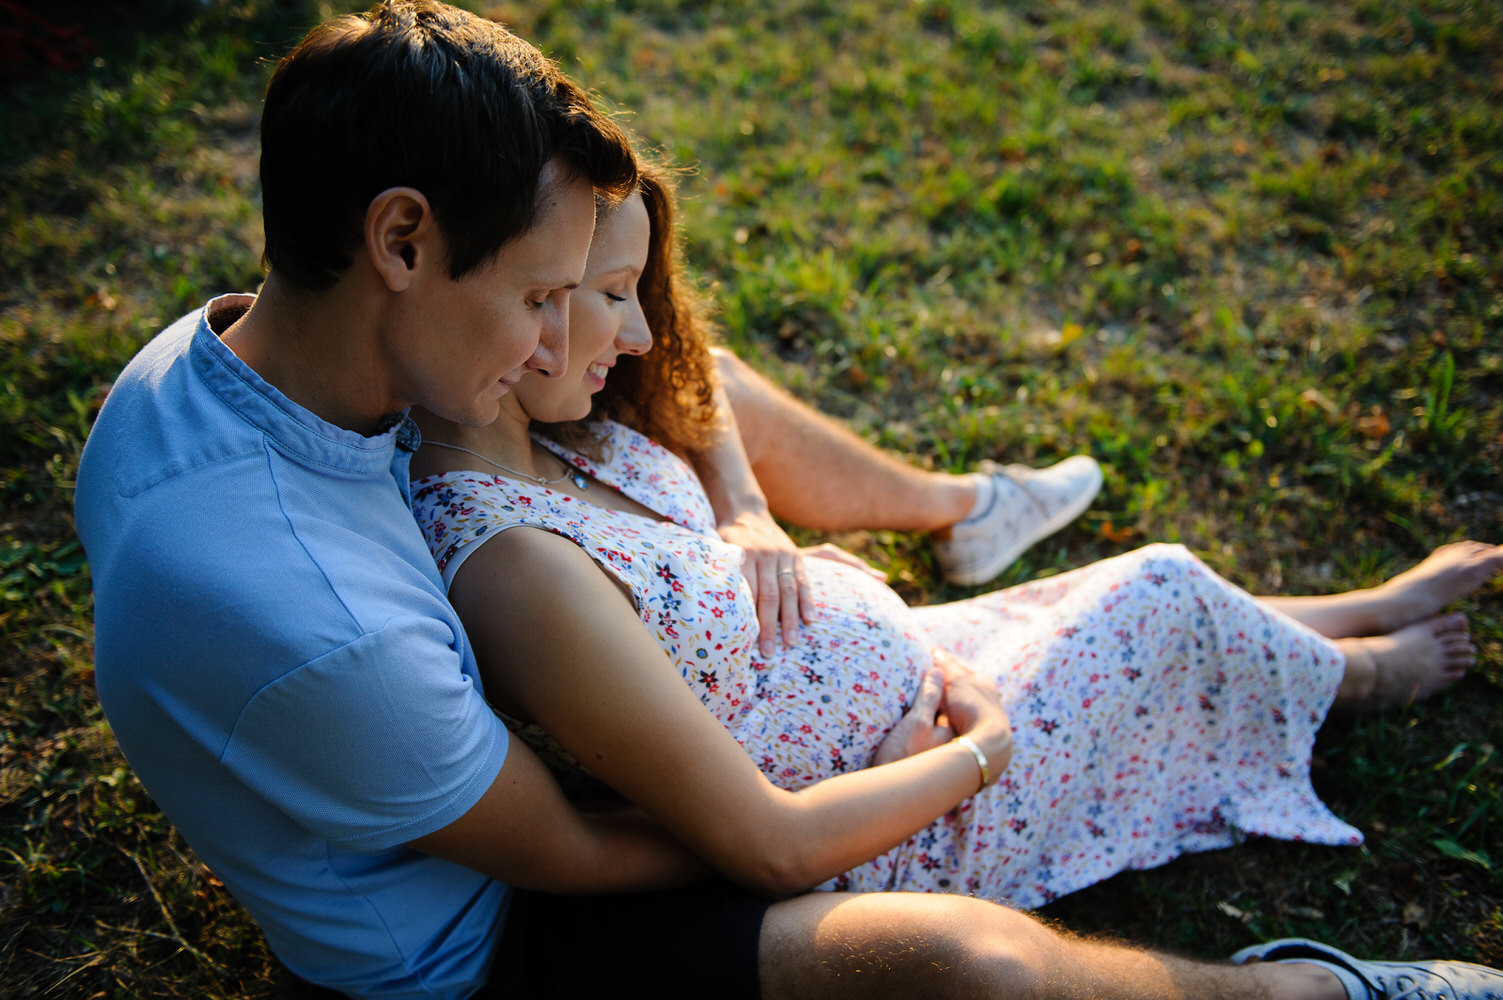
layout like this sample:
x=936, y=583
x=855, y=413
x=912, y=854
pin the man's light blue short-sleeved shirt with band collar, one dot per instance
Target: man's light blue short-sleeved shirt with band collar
x=279, y=661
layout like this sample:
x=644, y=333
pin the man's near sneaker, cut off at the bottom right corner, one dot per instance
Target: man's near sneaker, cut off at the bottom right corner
x=1387, y=981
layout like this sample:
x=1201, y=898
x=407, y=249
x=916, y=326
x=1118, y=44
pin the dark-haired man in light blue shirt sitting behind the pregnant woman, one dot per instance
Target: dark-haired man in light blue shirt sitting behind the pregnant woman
x=274, y=647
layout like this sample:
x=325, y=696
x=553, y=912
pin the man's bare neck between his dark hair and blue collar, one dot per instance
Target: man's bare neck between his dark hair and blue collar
x=319, y=350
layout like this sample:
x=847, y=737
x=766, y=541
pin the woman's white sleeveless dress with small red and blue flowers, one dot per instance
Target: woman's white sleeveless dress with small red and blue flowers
x=1157, y=708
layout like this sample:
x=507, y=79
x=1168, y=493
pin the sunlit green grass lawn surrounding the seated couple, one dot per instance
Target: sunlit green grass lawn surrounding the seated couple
x=1250, y=255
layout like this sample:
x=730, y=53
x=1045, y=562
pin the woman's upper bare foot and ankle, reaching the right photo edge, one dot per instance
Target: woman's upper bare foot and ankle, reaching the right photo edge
x=1417, y=595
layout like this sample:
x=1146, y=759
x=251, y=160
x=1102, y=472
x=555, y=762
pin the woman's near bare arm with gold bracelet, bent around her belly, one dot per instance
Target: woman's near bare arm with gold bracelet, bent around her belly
x=560, y=644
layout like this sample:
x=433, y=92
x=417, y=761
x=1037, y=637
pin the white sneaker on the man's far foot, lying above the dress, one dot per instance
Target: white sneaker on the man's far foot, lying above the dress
x=1027, y=508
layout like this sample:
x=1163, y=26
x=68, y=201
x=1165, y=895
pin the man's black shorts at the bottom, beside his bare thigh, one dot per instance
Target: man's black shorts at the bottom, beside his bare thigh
x=686, y=944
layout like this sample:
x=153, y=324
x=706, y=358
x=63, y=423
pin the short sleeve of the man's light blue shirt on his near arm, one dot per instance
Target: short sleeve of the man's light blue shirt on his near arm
x=375, y=744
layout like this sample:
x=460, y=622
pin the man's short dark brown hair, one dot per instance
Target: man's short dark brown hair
x=419, y=94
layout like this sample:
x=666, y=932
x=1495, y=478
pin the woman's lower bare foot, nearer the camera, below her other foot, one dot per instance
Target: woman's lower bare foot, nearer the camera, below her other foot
x=1408, y=665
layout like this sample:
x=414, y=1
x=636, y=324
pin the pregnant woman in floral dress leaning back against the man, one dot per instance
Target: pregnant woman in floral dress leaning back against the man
x=1152, y=709
